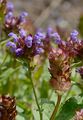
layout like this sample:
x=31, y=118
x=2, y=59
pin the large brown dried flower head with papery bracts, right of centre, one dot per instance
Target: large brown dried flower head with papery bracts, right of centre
x=60, y=70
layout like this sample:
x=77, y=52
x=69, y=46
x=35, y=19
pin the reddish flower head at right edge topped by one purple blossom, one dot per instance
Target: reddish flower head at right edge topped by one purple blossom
x=73, y=47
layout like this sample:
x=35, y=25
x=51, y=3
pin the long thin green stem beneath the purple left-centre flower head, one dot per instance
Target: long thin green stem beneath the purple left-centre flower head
x=30, y=77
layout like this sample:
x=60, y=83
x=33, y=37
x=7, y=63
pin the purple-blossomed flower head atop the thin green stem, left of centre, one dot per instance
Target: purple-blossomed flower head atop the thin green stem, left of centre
x=26, y=45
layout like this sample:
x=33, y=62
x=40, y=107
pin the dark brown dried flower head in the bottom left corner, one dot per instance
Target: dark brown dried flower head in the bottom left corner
x=7, y=108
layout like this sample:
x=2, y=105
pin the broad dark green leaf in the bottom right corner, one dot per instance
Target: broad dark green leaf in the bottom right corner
x=68, y=110
